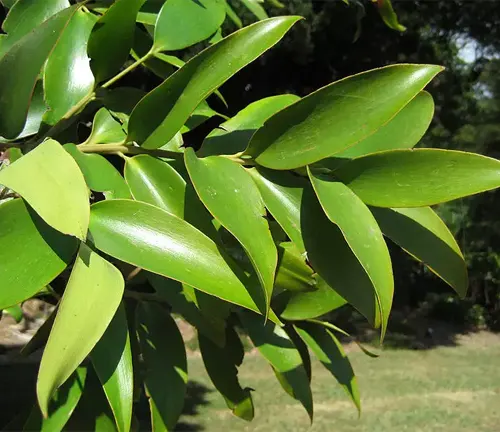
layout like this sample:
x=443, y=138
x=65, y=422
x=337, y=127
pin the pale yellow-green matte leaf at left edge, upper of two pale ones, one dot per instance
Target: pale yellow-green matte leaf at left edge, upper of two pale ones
x=58, y=194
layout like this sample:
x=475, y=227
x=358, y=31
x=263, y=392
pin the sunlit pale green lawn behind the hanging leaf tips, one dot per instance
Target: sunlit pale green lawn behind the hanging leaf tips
x=449, y=389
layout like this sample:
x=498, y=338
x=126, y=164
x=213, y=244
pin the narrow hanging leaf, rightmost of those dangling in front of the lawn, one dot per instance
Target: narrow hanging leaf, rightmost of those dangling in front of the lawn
x=327, y=348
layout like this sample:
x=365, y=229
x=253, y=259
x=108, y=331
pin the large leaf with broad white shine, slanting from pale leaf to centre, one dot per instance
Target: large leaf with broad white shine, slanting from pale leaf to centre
x=151, y=238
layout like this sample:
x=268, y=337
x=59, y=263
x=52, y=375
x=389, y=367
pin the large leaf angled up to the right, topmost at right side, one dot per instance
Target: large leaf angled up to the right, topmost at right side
x=337, y=116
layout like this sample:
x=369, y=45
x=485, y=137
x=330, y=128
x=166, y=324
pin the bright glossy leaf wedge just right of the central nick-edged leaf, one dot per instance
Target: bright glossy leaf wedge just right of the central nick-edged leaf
x=282, y=195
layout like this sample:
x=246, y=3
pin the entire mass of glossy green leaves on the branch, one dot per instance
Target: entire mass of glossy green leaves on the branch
x=284, y=207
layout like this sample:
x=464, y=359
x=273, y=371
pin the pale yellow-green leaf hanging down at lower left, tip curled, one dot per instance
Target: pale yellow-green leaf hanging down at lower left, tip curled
x=88, y=305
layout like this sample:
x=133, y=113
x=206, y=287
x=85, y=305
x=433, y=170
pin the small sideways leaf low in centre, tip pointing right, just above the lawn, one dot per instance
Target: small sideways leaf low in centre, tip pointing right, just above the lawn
x=307, y=305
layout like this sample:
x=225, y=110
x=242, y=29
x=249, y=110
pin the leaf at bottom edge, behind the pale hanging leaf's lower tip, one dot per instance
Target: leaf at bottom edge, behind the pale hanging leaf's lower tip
x=62, y=405
